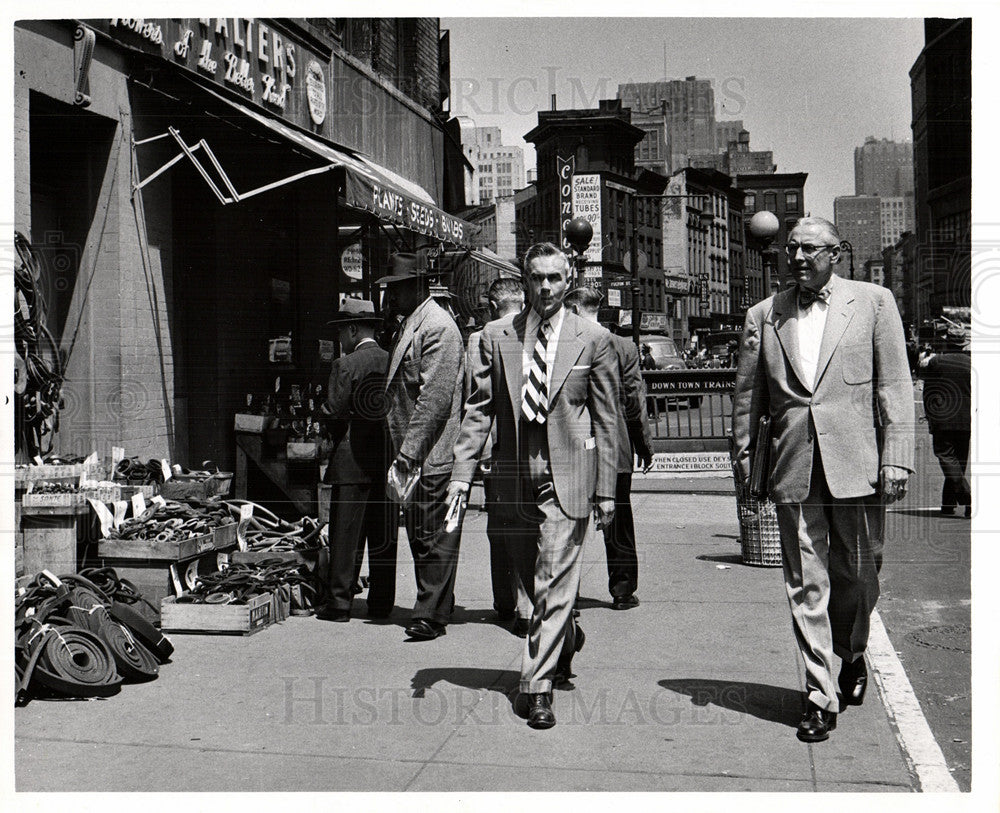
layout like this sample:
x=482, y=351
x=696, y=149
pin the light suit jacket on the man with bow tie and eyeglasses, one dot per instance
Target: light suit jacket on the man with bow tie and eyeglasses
x=862, y=388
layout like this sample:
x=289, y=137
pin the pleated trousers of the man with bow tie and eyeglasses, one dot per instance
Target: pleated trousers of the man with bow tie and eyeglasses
x=831, y=555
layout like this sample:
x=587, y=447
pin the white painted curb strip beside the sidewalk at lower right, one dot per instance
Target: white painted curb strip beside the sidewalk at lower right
x=923, y=755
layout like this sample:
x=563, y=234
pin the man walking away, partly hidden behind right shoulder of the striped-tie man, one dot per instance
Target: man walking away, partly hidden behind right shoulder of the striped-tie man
x=633, y=439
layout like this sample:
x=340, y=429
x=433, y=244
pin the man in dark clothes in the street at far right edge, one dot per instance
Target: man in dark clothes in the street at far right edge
x=947, y=401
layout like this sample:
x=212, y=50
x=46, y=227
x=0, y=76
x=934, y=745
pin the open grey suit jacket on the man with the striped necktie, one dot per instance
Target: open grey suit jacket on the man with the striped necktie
x=582, y=417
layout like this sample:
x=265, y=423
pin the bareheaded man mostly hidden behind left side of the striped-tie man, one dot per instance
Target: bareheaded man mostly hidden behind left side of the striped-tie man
x=510, y=600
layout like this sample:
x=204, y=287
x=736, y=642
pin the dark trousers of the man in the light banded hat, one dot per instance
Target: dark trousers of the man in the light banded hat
x=360, y=512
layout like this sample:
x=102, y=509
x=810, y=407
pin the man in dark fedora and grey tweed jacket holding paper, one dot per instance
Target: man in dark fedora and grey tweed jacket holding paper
x=424, y=400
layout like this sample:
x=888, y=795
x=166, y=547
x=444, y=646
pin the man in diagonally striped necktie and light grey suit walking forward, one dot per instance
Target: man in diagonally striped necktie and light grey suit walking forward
x=548, y=379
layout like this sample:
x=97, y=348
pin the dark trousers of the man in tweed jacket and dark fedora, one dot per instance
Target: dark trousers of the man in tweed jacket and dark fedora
x=435, y=553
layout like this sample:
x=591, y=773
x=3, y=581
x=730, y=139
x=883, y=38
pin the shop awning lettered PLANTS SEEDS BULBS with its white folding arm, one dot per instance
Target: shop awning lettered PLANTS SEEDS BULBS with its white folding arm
x=368, y=186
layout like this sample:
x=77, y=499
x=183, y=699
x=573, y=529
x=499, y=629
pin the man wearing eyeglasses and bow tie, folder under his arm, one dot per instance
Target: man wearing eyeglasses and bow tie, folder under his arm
x=826, y=359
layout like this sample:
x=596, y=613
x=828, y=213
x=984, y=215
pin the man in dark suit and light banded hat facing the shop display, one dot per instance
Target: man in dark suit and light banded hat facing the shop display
x=359, y=511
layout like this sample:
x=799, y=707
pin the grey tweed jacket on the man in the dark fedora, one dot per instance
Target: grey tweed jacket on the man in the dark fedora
x=424, y=387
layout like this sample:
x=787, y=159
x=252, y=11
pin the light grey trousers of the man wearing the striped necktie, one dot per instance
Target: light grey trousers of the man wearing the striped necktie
x=547, y=547
